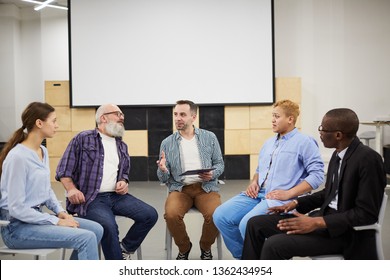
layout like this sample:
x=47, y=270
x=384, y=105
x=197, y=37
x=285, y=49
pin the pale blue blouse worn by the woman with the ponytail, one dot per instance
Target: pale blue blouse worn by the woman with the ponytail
x=25, y=185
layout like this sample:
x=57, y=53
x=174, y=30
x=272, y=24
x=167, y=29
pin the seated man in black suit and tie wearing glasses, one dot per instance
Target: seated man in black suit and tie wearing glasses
x=352, y=197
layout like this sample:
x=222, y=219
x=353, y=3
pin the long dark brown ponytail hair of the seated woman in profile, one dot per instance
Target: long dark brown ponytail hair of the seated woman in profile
x=34, y=111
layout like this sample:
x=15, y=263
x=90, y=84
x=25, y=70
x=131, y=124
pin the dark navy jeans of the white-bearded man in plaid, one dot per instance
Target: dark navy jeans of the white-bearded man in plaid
x=110, y=204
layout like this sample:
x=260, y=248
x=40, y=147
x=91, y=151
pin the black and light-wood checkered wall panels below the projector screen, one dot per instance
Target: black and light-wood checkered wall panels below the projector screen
x=241, y=130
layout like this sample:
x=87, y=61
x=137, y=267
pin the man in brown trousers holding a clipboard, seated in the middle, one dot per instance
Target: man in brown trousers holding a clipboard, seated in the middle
x=190, y=148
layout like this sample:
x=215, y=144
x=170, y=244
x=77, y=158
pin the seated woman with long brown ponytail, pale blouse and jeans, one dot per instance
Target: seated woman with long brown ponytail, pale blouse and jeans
x=25, y=187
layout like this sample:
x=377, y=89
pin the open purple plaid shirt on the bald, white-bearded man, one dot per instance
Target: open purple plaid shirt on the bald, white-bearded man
x=83, y=162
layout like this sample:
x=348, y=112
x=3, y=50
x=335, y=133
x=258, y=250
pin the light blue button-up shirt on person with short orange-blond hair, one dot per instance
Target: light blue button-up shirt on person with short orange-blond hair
x=295, y=157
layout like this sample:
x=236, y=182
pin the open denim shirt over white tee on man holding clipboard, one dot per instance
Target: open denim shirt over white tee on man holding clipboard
x=210, y=157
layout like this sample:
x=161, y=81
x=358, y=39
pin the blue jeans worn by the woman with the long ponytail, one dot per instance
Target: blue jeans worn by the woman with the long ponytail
x=84, y=240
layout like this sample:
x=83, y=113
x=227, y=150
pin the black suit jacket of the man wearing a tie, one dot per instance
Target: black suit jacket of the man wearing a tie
x=362, y=181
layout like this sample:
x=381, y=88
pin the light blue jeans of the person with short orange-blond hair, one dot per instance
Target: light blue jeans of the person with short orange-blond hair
x=232, y=216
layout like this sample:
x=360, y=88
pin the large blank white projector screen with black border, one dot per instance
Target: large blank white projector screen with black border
x=155, y=52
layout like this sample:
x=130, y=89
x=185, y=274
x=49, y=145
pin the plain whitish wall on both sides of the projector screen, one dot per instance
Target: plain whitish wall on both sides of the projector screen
x=339, y=49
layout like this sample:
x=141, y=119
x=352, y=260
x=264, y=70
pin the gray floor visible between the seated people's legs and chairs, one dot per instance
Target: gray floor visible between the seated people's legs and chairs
x=153, y=248
